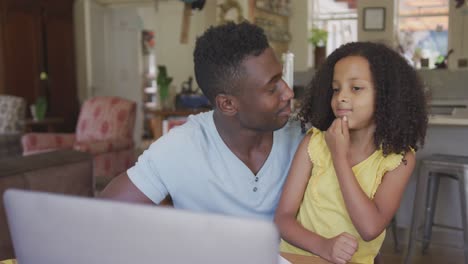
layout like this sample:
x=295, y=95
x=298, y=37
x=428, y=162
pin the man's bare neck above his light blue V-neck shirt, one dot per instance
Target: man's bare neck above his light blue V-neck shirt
x=251, y=147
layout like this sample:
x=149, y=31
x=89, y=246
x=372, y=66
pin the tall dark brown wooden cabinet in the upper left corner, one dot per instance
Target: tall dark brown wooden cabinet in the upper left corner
x=37, y=36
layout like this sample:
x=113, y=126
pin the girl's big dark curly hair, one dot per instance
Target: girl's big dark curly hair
x=400, y=103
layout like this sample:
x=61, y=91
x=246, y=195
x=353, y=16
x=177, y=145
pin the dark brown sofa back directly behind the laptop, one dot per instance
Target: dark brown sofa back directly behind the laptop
x=67, y=172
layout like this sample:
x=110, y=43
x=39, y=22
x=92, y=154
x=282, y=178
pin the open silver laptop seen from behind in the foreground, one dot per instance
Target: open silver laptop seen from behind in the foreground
x=57, y=229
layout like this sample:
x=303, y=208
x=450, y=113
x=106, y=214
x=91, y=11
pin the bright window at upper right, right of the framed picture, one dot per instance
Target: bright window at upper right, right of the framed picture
x=423, y=31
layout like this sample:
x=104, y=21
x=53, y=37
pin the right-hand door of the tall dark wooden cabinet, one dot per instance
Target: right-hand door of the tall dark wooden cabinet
x=60, y=55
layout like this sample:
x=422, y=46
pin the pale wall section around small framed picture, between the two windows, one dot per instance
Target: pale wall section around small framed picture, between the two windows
x=386, y=36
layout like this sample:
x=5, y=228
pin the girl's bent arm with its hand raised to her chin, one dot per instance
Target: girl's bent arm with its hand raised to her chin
x=369, y=216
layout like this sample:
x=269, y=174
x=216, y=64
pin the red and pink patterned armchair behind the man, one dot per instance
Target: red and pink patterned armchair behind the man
x=104, y=129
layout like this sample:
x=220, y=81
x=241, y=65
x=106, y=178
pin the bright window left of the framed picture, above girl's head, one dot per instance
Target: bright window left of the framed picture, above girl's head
x=339, y=18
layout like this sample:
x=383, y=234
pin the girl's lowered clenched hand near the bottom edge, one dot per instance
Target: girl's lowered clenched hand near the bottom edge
x=340, y=249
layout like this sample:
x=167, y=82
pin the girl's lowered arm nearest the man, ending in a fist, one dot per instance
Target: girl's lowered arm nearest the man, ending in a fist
x=338, y=249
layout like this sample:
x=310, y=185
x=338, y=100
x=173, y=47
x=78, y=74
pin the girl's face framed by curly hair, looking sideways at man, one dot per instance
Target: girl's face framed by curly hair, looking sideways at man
x=353, y=92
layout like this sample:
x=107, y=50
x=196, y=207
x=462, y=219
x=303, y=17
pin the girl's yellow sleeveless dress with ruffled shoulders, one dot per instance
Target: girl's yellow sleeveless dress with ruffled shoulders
x=323, y=210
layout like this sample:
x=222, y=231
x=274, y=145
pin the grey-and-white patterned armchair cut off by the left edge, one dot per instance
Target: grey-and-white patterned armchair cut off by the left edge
x=12, y=116
